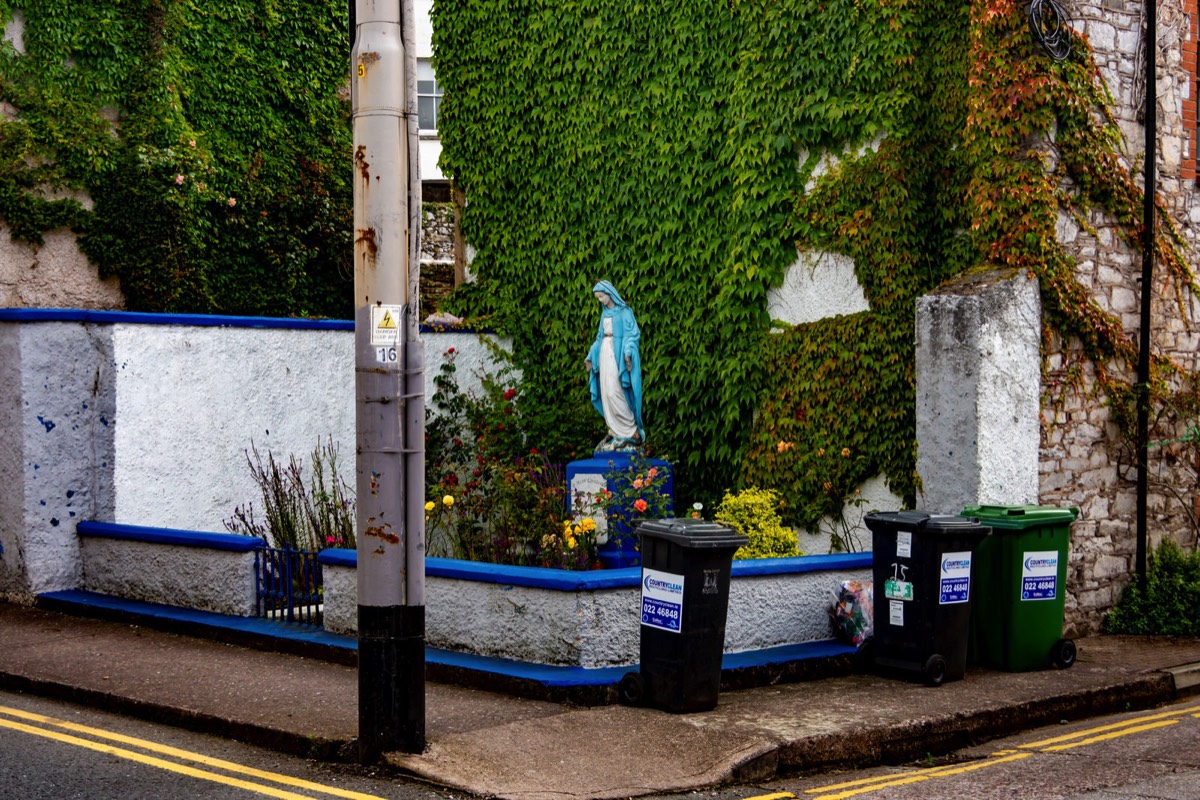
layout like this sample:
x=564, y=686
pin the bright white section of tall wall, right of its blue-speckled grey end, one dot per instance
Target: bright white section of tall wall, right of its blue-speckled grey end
x=191, y=400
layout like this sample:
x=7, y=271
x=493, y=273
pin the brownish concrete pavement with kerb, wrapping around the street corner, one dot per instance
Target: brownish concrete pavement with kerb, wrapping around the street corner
x=499, y=745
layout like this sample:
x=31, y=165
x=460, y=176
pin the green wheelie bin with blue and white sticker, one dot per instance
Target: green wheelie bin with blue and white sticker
x=1022, y=575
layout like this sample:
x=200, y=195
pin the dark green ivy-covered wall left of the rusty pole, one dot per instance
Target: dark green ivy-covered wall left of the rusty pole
x=212, y=139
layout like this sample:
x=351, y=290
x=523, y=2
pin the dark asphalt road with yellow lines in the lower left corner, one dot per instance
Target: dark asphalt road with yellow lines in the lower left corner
x=58, y=751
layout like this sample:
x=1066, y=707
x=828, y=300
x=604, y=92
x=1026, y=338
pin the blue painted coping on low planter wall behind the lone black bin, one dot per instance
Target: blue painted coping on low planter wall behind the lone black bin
x=569, y=581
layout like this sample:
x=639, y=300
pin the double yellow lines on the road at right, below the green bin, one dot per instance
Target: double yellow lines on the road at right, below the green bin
x=1067, y=742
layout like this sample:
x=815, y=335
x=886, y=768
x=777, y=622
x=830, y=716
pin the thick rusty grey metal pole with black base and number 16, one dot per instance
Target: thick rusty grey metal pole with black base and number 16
x=389, y=384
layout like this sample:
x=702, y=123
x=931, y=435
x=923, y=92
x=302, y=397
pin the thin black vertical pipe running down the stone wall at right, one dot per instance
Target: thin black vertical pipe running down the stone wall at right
x=1148, y=279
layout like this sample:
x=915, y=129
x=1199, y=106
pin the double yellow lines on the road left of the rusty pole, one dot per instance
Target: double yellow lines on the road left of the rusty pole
x=53, y=729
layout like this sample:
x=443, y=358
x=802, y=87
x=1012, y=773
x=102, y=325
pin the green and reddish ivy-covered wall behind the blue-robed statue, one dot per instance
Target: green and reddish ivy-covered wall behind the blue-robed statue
x=686, y=151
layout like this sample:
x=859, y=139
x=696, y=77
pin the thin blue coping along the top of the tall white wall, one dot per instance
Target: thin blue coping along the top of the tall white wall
x=200, y=321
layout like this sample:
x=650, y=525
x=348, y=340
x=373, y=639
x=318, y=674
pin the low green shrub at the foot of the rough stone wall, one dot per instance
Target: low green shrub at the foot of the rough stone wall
x=1167, y=603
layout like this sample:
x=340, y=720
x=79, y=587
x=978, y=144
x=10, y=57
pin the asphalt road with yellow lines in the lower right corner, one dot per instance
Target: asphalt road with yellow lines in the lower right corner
x=1144, y=756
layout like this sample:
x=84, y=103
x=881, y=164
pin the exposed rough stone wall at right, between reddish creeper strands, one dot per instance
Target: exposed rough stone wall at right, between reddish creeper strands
x=1085, y=460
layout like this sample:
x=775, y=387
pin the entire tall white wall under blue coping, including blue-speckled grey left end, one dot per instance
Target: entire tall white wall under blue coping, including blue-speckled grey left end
x=148, y=424
